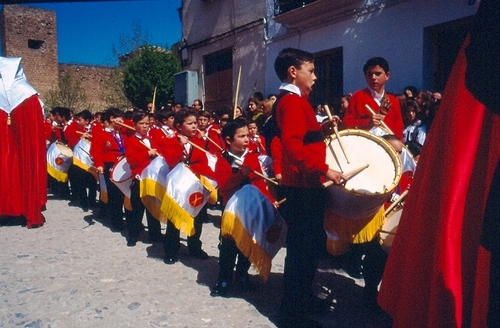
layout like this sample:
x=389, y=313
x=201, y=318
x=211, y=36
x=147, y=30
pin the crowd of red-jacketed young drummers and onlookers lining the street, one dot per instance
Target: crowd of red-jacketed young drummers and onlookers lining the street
x=284, y=128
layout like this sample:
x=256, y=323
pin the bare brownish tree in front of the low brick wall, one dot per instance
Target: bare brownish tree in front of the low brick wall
x=69, y=93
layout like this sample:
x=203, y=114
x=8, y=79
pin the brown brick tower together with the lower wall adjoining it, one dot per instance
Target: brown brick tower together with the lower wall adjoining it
x=31, y=33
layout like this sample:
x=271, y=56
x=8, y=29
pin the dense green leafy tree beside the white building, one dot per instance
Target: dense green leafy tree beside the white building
x=147, y=68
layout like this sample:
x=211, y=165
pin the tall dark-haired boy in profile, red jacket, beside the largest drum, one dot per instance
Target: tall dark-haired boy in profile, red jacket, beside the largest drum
x=304, y=169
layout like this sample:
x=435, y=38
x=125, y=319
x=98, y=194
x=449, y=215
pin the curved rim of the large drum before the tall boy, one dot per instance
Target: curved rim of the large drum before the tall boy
x=379, y=140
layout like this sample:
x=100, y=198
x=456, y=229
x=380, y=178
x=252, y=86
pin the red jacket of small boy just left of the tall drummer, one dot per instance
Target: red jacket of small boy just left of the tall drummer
x=229, y=182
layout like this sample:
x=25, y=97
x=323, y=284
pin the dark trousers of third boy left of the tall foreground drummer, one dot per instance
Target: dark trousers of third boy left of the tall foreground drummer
x=134, y=219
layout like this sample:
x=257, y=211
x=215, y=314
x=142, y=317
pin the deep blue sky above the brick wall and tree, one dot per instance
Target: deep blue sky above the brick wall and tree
x=87, y=31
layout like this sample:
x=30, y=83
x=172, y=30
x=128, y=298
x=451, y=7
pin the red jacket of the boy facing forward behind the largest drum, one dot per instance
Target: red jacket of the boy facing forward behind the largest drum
x=357, y=116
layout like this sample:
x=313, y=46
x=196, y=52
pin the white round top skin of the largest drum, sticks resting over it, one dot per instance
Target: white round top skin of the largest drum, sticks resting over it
x=363, y=148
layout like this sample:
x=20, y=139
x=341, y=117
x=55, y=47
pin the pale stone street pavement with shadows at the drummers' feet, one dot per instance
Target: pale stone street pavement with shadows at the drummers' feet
x=75, y=272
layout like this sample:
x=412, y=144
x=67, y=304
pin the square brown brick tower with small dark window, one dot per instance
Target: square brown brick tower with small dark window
x=31, y=33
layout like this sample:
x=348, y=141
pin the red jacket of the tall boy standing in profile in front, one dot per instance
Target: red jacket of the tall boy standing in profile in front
x=304, y=150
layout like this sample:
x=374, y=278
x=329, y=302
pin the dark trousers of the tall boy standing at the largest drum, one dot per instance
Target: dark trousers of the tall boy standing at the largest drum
x=305, y=243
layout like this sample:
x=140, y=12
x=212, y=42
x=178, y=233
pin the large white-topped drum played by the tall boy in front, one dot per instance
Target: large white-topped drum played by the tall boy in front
x=363, y=194
